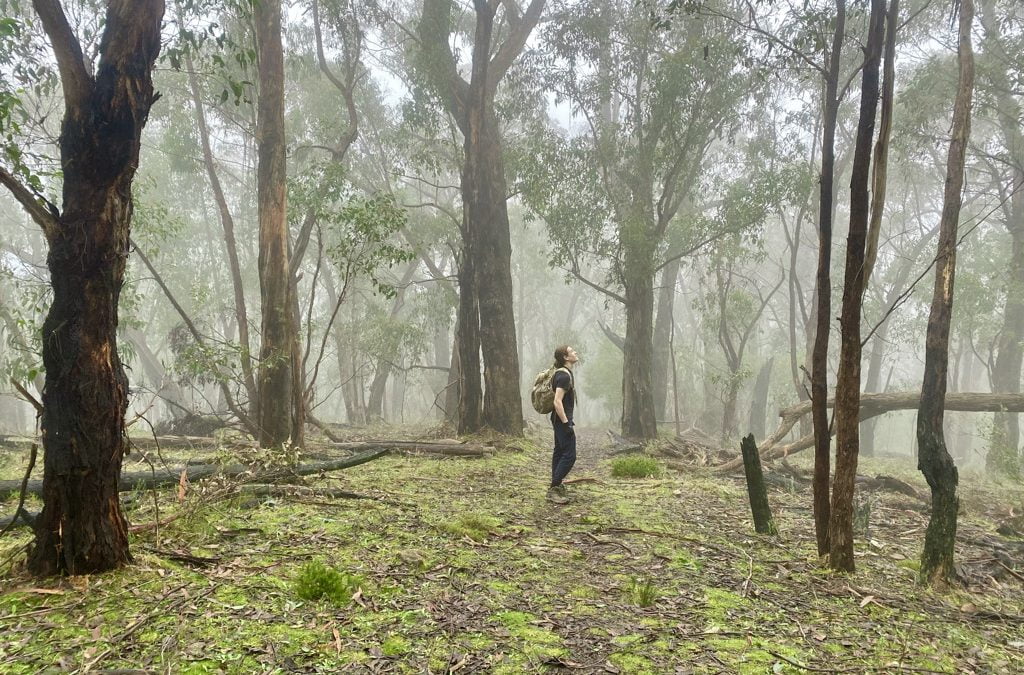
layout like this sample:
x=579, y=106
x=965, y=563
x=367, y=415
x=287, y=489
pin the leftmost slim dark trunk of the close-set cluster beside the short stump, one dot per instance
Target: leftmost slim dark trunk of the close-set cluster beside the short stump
x=823, y=289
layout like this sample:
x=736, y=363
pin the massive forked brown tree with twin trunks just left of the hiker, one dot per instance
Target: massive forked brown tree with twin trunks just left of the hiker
x=486, y=320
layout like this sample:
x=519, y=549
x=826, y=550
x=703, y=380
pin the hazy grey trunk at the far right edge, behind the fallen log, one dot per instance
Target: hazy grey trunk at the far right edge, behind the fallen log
x=1004, y=453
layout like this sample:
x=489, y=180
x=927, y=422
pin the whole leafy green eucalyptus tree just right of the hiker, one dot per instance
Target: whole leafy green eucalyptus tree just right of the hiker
x=653, y=97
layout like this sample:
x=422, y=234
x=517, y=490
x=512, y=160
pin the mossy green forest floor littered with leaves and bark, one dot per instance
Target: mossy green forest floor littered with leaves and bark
x=461, y=566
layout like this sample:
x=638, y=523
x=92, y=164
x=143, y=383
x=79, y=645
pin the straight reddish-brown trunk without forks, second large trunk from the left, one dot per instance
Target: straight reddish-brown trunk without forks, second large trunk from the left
x=277, y=347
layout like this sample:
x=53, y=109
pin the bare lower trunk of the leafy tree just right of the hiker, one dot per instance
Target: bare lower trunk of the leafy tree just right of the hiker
x=638, y=398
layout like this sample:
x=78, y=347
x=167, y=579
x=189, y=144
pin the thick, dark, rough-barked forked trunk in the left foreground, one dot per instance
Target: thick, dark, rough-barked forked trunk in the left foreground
x=81, y=529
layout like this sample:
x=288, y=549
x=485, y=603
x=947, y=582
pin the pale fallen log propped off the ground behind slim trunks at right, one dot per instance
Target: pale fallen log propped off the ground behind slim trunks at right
x=873, y=405
